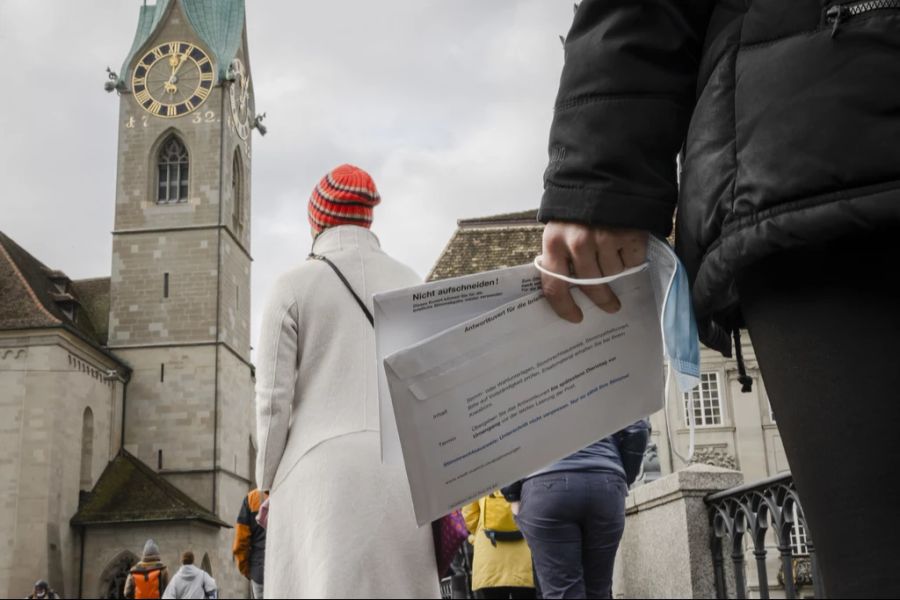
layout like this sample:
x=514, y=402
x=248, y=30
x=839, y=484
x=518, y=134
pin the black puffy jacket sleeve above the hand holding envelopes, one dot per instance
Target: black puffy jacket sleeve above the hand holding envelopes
x=625, y=98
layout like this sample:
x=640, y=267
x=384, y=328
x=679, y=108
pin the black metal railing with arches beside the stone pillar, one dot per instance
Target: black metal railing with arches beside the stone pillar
x=752, y=510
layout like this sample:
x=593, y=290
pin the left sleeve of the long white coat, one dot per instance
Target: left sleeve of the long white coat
x=275, y=379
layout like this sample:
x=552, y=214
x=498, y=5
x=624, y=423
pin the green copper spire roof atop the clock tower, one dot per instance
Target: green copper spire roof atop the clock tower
x=219, y=23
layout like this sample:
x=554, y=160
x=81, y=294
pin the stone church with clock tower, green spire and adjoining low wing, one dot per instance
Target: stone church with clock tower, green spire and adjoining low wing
x=130, y=398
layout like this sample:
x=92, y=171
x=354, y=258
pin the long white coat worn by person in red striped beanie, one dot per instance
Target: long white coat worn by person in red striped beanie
x=341, y=524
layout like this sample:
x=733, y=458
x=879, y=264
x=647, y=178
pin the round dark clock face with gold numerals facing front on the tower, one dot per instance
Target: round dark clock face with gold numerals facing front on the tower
x=172, y=79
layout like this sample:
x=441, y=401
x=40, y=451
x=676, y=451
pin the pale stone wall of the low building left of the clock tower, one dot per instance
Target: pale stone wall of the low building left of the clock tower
x=48, y=380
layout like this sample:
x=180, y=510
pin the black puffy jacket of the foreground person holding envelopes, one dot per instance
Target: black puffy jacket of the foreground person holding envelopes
x=787, y=111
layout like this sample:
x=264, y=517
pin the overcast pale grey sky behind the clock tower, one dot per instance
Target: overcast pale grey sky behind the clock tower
x=446, y=103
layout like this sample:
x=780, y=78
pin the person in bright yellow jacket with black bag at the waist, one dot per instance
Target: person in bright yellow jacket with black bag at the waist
x=501, y=567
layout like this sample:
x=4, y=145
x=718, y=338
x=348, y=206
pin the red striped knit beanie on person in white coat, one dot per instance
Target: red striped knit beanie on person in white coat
x=345, y=196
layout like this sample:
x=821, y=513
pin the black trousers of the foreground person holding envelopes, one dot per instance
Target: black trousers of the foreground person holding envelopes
x=825, y=325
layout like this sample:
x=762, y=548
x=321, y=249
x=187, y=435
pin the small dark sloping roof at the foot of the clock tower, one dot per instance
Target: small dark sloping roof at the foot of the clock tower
x=129, y=491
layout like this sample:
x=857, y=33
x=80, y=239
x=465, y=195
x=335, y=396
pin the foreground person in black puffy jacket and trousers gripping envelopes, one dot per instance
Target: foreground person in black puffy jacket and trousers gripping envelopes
x=788, y=210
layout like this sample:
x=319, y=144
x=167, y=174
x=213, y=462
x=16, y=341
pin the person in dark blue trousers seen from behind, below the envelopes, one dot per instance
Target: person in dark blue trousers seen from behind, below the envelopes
x=572, y=513
